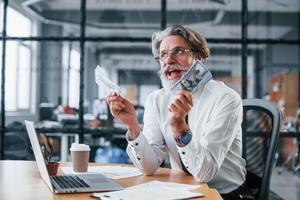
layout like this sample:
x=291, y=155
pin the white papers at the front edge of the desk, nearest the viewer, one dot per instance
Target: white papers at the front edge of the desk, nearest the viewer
x=152, y=190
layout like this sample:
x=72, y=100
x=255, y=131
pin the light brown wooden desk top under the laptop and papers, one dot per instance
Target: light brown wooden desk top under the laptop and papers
x=21, y=180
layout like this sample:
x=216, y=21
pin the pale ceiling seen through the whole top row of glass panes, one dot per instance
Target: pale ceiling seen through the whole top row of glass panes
x=140, y=18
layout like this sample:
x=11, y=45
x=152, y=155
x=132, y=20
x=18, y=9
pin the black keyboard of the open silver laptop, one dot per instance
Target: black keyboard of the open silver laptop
x=70, y=182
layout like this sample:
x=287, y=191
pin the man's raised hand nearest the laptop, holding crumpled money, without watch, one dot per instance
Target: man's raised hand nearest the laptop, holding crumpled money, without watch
x=124, y=111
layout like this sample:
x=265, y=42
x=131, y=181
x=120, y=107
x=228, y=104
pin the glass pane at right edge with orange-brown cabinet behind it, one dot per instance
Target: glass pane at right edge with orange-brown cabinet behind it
x=277, y=70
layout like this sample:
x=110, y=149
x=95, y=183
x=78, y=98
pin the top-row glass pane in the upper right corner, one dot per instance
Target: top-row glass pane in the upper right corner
x=273, y=19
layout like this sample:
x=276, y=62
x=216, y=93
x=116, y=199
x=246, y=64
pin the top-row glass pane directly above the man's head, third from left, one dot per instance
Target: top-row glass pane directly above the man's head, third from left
x=213, y=19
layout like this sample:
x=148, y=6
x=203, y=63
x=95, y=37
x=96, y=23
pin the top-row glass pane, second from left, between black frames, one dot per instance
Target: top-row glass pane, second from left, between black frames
x=123, y=18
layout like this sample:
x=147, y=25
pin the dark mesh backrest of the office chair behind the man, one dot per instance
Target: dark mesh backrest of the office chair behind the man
x=261, y=126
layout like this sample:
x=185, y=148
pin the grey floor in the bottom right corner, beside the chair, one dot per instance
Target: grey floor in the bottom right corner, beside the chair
x=286, y=184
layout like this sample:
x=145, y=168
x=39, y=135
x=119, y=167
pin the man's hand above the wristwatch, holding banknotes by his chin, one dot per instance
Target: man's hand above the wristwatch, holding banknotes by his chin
x=179, y=109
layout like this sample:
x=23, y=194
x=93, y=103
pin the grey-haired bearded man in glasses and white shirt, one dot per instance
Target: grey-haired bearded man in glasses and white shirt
x=200, y=131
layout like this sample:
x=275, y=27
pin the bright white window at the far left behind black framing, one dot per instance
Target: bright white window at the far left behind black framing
x=18, y=63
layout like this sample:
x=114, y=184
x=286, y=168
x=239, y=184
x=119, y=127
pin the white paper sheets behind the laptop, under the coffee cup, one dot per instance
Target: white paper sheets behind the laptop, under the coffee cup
x=113, y=172
